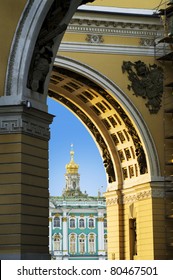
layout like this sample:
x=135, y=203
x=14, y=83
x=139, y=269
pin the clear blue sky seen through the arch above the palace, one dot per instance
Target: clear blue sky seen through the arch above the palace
x=66, y=129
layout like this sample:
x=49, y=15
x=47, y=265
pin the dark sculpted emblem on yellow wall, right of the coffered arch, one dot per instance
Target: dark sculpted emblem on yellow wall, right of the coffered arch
x=146, y=82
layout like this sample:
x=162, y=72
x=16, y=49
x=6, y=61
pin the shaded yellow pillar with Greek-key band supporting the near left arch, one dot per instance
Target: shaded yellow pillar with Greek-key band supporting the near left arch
x=24, y=136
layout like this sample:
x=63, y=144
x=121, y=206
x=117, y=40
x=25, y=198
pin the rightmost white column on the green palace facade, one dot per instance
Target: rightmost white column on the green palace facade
x=100, y=219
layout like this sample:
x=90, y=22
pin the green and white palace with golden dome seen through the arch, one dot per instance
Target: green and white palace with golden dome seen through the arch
x=77, y=222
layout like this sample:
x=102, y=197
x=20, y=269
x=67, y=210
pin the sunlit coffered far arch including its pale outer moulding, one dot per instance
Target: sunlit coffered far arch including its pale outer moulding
x=128, y=154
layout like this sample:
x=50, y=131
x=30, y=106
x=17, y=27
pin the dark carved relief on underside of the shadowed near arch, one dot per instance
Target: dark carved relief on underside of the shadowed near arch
x=43, y=51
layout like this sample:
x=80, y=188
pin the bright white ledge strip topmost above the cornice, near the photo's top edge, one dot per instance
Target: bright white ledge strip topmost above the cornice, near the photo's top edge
x=114, y=10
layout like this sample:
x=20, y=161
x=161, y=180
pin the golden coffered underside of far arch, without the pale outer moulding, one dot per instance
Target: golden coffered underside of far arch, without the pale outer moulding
x=113, y=131
